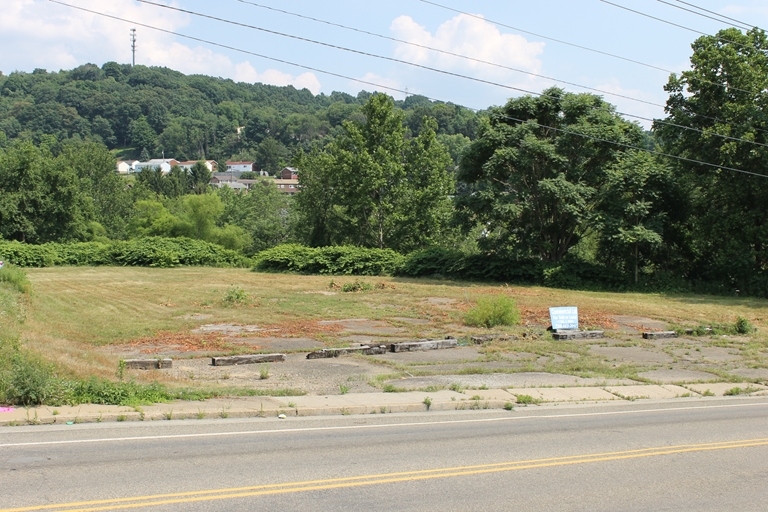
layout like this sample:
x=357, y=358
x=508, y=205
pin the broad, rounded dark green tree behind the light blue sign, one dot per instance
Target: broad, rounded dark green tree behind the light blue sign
x=533, y=175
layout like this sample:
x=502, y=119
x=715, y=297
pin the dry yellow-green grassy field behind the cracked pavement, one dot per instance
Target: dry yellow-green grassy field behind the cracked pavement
x=72, y=313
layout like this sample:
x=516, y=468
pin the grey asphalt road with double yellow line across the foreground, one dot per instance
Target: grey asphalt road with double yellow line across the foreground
x=697, y=454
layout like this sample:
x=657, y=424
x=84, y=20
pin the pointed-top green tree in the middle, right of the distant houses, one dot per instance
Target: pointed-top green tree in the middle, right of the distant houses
x=371, y=187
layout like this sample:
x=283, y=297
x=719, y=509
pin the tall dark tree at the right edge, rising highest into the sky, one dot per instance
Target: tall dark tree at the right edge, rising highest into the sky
x=725, y=93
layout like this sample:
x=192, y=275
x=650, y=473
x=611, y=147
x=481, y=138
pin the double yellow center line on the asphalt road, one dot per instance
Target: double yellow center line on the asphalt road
x=377, y=479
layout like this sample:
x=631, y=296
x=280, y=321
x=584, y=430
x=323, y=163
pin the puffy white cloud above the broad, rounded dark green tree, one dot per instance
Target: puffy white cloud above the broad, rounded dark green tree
x=468, y=36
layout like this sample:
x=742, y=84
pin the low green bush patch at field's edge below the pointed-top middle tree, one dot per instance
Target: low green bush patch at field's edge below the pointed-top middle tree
x=329, y=260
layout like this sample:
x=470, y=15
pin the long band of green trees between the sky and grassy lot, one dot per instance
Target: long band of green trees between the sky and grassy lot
x=559, y=179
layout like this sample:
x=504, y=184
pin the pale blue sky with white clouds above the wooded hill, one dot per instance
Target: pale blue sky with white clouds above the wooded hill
x=524, y=46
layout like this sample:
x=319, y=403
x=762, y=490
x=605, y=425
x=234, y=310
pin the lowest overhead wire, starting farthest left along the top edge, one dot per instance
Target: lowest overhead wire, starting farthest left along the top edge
x=394, y=89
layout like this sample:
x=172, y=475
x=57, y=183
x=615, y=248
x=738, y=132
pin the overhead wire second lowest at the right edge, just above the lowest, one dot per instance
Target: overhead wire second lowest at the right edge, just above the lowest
x=436, y=70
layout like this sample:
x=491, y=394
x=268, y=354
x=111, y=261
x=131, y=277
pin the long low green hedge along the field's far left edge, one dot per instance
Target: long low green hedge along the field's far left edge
x=142, y=252
